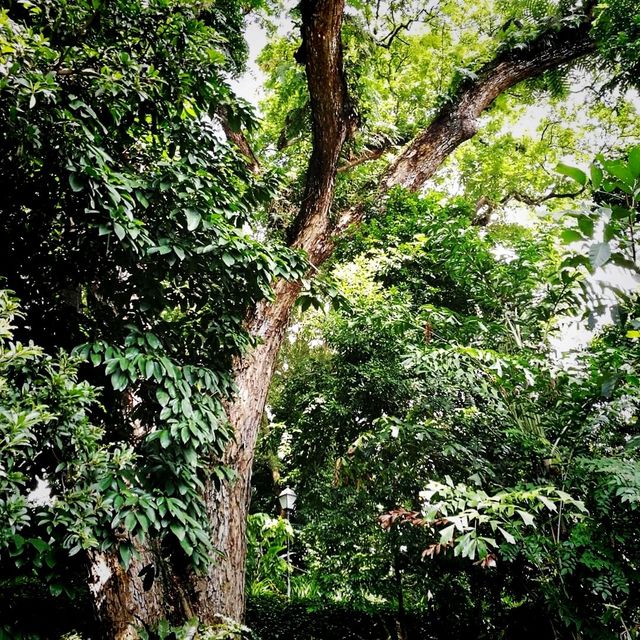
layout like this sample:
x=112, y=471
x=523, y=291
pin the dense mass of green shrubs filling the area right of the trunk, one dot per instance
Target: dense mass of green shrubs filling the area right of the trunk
x=437, y=379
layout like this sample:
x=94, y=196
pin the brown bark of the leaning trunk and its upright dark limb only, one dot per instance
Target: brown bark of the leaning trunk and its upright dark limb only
x=221, y=592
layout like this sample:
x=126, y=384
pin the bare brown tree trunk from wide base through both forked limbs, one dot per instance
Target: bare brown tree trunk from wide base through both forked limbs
x=121, y=596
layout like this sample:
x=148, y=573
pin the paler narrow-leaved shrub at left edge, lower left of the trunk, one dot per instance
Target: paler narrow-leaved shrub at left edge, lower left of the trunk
x=54, y=502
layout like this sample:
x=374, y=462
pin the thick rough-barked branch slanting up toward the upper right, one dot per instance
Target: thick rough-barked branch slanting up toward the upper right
x=458, y=121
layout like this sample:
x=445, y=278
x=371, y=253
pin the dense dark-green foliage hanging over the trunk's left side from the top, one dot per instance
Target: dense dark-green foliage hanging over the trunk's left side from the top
x=130, y=226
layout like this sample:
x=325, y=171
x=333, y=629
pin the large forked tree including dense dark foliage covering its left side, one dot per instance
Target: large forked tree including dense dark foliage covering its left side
x=129, y=223
